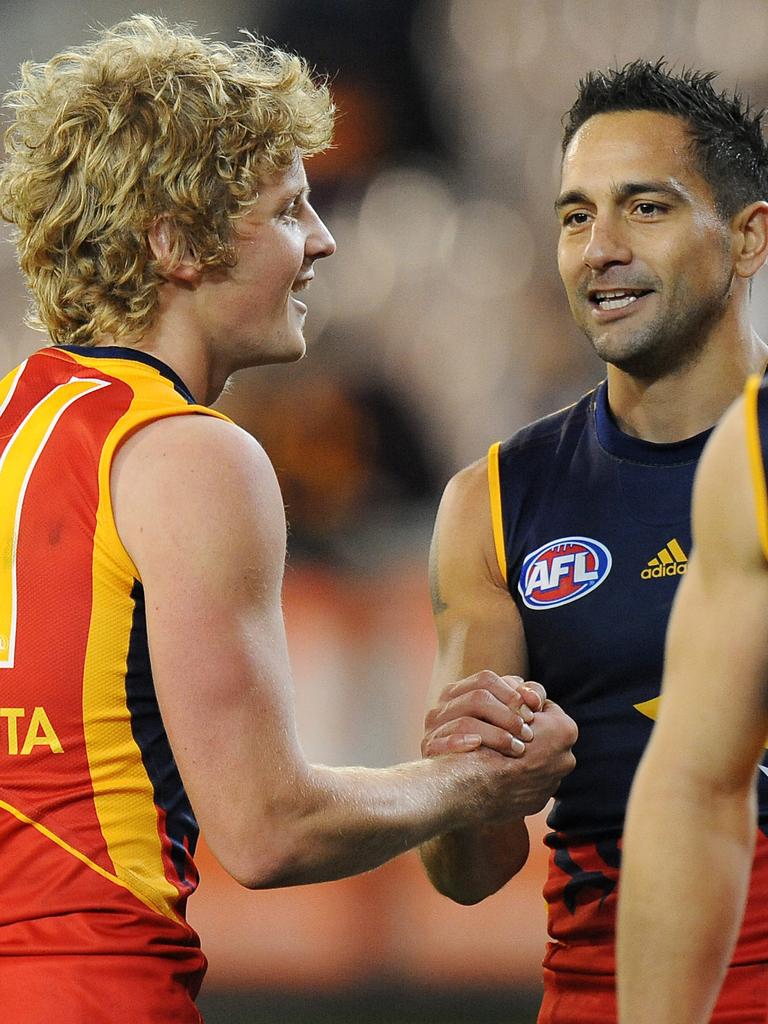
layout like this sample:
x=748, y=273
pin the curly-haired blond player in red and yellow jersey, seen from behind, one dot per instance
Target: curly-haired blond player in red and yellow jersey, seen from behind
x=157, y=183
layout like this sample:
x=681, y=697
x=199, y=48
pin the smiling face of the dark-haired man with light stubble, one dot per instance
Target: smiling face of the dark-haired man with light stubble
x=644, y=254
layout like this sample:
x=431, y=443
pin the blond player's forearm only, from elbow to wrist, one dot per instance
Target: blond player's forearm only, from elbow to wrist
x=331, y=823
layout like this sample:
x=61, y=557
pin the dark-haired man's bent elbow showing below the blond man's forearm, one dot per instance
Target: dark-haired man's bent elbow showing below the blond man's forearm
x=470, y=865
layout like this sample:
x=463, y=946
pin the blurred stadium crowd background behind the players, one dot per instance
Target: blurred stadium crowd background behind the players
x=440, y=327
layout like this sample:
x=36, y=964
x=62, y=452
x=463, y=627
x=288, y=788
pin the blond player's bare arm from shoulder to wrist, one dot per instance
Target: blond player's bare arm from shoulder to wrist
x=199, y=510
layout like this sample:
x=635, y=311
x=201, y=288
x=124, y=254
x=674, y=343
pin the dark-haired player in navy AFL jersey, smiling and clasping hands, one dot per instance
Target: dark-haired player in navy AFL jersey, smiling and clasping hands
x=561, y=553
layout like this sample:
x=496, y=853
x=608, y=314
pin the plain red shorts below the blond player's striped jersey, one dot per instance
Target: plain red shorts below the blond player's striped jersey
x=94, y=990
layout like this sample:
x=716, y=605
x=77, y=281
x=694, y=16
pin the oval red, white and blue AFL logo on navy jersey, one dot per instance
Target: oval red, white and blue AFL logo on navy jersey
x=563, y=572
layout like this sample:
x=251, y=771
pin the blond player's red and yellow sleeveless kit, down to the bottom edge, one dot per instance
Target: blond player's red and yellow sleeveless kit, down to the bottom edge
x=97, y=834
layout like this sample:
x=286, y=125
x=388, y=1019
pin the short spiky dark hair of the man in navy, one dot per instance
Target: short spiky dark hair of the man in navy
x=728, y=144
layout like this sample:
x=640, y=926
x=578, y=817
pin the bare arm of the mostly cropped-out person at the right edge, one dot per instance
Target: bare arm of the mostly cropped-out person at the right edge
x=692, y=821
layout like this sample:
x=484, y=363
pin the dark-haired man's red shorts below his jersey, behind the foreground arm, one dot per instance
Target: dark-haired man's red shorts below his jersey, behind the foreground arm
x=584, y=999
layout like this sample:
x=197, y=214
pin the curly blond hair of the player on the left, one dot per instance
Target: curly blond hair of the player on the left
x=148, y=121
